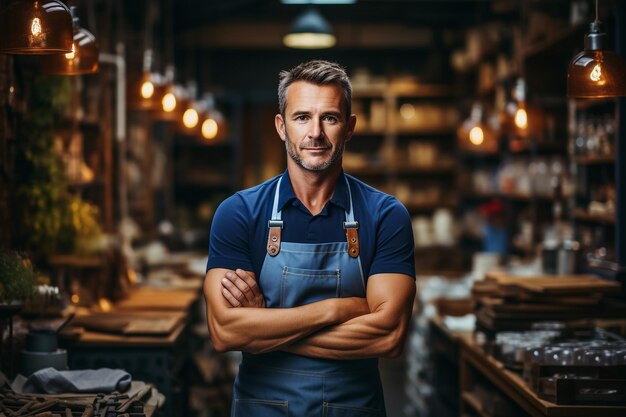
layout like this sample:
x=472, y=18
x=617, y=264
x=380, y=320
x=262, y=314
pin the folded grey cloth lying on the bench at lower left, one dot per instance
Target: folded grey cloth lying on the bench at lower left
x=52, y=381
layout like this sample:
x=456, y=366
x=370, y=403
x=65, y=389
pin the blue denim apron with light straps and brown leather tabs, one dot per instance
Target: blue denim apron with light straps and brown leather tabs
x=283, y=384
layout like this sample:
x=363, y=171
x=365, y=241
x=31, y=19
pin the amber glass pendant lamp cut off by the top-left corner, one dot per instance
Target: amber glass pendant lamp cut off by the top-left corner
x=36, y=27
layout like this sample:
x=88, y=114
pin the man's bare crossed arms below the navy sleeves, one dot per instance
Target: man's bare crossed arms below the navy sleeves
x=335, y=328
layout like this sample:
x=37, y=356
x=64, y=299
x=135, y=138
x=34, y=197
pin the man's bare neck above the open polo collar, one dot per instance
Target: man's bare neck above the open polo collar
x=313, y=188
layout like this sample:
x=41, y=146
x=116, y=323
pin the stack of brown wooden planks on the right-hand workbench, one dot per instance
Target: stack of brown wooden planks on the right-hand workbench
x=505, y=302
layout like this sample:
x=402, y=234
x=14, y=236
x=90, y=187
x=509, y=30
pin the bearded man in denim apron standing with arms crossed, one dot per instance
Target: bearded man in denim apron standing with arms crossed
x=310, y=274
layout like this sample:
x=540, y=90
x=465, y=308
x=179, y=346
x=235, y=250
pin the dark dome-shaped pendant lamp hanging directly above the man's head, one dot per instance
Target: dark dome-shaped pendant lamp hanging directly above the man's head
x=310, y=31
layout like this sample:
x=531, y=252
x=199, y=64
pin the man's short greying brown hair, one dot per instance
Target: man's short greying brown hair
x=317, y=72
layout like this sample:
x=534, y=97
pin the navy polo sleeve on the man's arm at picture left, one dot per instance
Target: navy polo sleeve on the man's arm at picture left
x=229, y=245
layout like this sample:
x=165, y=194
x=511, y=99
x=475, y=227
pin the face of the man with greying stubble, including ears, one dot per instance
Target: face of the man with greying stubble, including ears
x=315, y=127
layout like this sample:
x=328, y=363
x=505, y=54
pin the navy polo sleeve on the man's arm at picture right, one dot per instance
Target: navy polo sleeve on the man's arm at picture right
x=394, y=251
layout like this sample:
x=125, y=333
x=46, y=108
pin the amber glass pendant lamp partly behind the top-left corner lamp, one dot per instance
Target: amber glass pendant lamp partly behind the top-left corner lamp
x=84, y=56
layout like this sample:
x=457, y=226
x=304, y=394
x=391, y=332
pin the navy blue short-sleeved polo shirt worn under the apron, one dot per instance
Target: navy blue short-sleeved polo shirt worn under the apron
x=239, y=230
